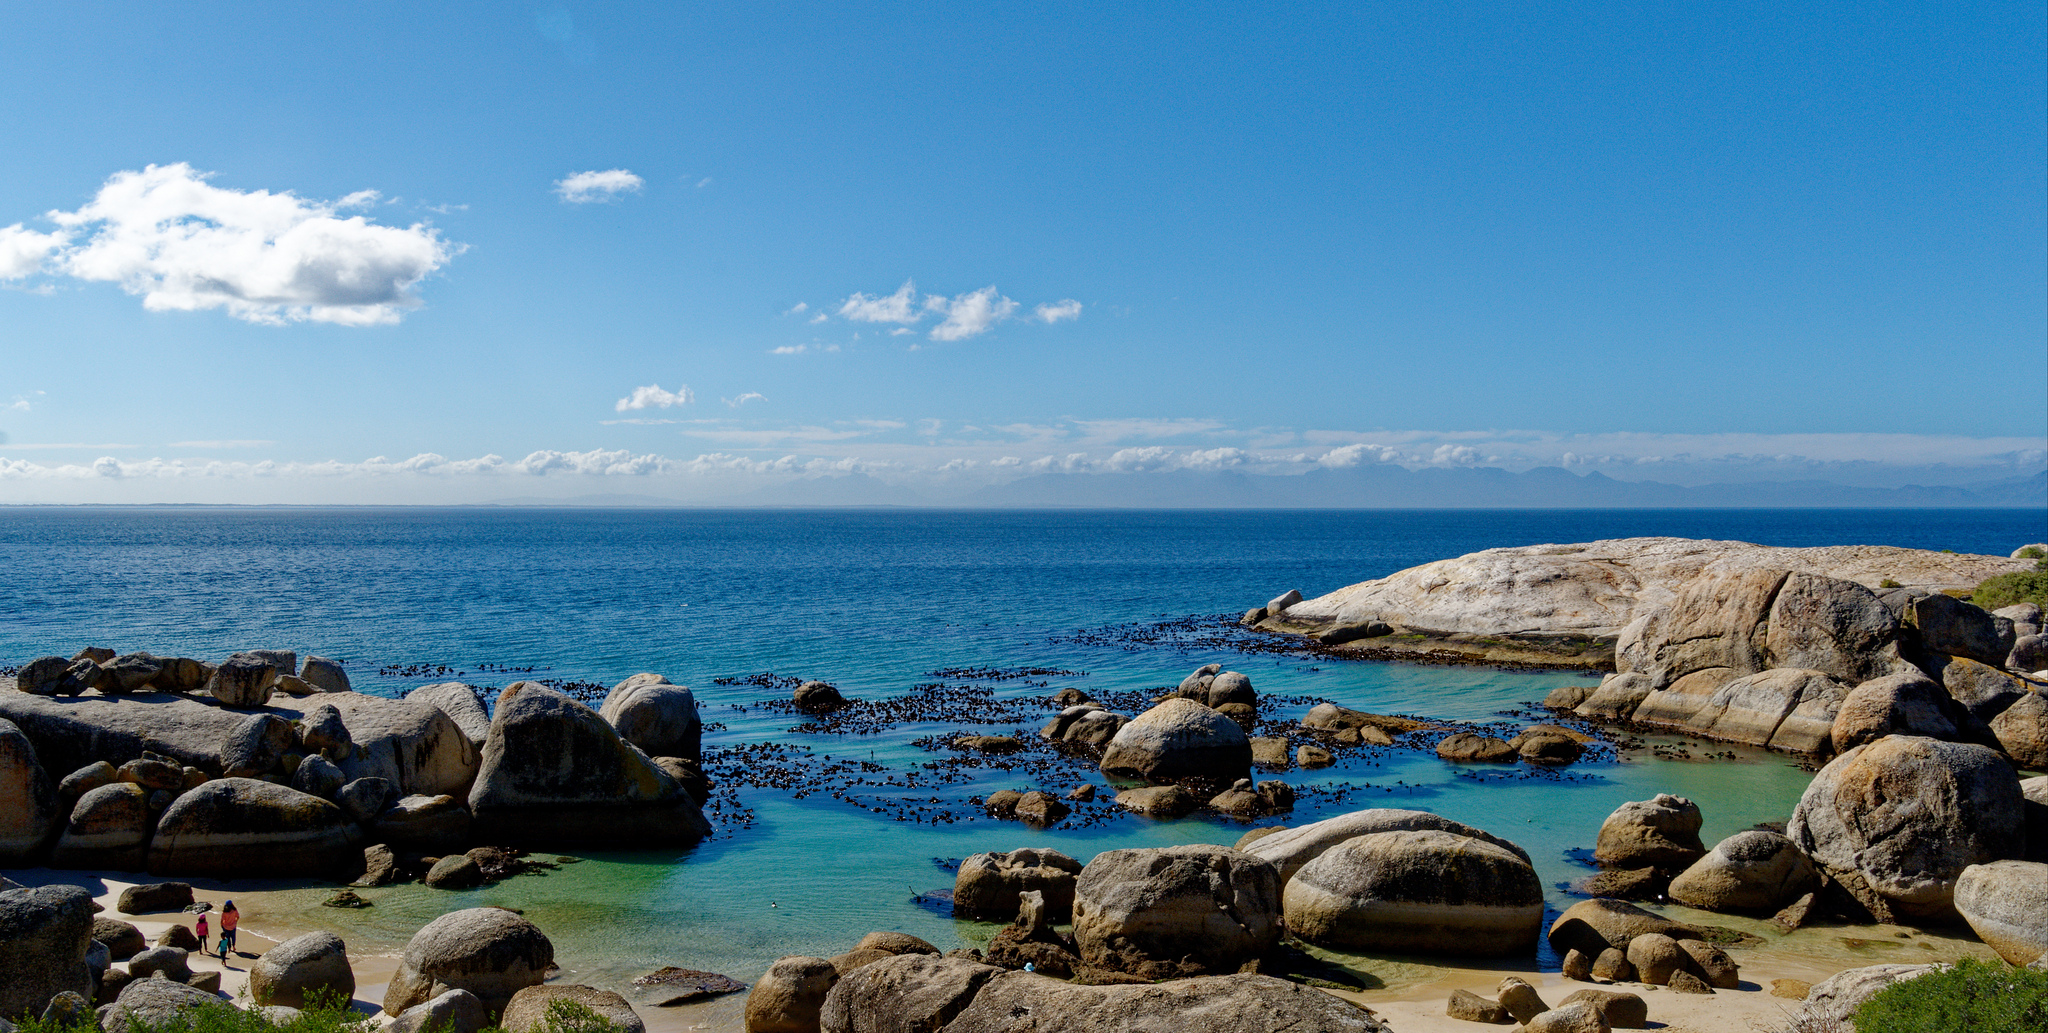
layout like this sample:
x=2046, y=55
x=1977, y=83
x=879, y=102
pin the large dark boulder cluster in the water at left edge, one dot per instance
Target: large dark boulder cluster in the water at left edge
x=230, y=780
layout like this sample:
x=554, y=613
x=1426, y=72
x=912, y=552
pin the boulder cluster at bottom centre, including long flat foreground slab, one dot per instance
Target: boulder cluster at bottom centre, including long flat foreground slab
x=1160, y=940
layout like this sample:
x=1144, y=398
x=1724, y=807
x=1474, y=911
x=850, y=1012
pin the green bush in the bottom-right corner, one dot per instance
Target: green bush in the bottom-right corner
x=1975, y=995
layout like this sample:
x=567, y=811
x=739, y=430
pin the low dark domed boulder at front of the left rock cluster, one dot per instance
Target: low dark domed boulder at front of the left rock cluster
x=255, y=829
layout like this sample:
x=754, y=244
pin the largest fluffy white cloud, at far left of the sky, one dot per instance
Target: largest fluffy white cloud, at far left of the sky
x=265, y=257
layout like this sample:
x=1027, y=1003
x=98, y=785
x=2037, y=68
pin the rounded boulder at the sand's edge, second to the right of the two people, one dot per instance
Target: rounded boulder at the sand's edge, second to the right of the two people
x=488, y=952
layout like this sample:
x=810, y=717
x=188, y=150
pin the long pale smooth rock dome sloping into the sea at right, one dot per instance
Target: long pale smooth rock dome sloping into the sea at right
x=1594, y=589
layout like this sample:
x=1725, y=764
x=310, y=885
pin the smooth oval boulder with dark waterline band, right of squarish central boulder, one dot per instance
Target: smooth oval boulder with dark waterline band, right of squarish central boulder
x=1418, y=893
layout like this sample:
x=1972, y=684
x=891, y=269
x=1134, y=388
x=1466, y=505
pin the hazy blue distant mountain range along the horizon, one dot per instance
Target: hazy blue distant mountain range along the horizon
x=1367, y=487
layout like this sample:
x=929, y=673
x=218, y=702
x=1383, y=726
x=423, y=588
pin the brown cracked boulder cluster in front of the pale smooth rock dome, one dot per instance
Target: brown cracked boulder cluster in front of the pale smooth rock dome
x=1816, y=665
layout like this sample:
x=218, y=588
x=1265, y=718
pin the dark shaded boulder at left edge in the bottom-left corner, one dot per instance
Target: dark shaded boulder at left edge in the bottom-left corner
x=44, y=938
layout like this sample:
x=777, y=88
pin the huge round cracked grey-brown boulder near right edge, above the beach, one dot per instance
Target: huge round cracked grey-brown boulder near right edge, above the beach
x=1900, y=819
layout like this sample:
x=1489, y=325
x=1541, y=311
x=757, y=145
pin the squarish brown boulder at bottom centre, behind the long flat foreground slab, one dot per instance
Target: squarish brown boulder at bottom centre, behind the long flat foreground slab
x=1177, y=911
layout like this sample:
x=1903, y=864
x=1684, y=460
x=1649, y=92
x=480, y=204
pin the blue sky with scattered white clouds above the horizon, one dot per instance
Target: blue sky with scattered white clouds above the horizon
x=1693, y=243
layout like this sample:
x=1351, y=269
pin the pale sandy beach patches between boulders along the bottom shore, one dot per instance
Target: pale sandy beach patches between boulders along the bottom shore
x=1412, y=997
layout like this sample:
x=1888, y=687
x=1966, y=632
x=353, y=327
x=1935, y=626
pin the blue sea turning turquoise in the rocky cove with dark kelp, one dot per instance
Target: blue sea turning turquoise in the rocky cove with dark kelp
x=876, y=602
